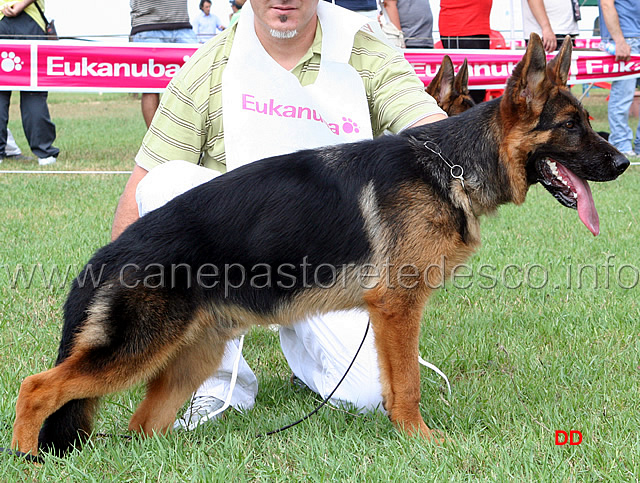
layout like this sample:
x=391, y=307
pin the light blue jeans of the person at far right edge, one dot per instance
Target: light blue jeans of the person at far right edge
x=620, y=100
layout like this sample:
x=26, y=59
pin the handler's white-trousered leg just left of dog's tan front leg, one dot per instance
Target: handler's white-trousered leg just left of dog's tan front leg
x=320, y=349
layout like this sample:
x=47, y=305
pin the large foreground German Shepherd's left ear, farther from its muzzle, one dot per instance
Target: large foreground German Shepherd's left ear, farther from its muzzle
x=529, y=78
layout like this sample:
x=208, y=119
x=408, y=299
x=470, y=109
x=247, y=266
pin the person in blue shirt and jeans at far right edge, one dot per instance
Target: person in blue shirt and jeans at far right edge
x=620, y=24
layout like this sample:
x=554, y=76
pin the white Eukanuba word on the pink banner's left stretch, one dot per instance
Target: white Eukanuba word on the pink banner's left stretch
x=57, y=66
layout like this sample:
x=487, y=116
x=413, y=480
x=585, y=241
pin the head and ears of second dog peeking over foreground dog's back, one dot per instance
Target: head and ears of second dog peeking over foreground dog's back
x=450, y=90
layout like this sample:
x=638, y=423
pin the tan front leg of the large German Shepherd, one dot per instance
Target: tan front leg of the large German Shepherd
x=396, y=324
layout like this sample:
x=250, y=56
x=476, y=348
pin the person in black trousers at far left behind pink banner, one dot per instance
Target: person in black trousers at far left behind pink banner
x=22, y=21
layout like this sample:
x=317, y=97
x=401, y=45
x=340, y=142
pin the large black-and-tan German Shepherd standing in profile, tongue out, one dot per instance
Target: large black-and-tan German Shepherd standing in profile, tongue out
x=335, y=227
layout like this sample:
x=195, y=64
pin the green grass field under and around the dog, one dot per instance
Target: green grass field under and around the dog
x=541, y=334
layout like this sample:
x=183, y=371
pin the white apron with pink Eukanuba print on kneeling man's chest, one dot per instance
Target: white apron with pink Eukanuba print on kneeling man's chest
x=267, y=112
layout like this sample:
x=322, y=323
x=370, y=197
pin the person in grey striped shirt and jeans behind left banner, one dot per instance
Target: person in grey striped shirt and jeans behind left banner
x=164, y=21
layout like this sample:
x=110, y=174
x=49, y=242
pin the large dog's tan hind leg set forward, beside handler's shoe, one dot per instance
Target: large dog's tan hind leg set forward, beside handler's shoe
x=171, y=388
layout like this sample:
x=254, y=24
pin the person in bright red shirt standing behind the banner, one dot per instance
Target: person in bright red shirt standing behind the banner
x=464, y=24
